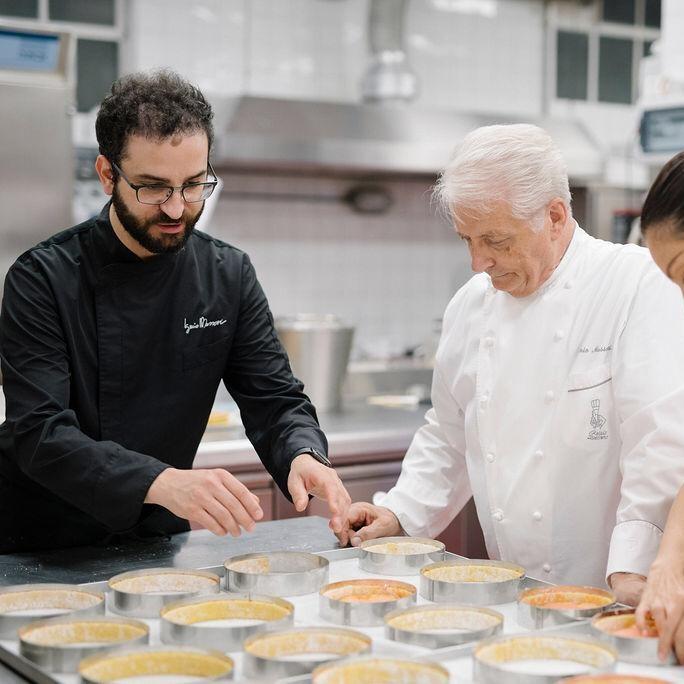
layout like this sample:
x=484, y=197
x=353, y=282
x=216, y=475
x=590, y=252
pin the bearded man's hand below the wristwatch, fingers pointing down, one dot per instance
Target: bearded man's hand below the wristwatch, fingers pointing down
x=308, y=476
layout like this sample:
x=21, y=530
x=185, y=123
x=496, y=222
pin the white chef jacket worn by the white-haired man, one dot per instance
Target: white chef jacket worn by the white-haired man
x=561, y=412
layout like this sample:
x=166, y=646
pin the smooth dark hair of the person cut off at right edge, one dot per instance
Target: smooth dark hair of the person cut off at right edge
x=664, y=204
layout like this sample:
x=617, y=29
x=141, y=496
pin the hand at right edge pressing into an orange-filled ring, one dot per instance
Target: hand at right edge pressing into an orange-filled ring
x=663, y=601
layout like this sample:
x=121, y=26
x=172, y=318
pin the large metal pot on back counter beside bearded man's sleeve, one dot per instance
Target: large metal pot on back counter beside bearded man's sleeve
x=318, y=346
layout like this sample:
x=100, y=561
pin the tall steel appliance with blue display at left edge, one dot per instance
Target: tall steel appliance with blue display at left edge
x=36, y=176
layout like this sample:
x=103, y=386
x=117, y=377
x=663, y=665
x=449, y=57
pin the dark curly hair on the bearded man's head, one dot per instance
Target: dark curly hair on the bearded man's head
x=157, y=105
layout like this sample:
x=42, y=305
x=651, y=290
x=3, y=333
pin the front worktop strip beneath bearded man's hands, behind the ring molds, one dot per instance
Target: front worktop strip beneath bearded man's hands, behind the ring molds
x=197, y=549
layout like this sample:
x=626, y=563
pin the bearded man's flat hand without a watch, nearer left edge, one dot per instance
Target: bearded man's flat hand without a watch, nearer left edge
x=212, y=498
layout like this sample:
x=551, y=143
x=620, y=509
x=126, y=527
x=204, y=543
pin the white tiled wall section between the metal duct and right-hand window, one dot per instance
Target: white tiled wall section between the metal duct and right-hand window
x=478, y=56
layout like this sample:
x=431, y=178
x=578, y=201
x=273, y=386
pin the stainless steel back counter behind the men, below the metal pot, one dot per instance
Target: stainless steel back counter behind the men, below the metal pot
x=359, y=428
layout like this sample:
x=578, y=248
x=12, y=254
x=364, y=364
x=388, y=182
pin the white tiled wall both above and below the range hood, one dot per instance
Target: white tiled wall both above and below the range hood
x=390, y=275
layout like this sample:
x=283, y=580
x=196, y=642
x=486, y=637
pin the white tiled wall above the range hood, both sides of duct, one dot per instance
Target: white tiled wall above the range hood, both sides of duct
x=482, y=55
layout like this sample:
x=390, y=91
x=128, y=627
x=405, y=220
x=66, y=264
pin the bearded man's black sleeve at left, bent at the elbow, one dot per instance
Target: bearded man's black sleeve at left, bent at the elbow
x=103, y=479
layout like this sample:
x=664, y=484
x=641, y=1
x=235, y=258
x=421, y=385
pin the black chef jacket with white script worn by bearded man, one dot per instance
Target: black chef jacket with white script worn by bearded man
x=111, y=366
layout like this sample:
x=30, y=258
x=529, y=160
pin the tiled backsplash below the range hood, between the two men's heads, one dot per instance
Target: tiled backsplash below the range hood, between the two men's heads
x=389, y=274
